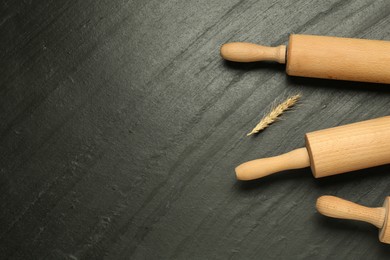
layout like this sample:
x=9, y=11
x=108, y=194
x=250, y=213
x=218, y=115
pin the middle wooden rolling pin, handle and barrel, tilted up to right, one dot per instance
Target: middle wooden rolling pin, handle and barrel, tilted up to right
x=330, y=151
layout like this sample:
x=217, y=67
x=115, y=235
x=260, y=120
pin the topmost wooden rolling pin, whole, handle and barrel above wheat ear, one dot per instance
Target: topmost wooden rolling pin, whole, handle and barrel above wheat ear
x=321, y=57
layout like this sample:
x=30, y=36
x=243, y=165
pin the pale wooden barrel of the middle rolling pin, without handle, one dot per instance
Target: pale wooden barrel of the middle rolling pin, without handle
x=350, y=147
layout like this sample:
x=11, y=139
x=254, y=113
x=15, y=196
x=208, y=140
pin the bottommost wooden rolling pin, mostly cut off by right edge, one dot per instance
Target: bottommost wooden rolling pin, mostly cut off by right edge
x=338, y=208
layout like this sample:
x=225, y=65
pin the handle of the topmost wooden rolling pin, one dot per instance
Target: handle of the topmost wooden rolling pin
x=249, y=52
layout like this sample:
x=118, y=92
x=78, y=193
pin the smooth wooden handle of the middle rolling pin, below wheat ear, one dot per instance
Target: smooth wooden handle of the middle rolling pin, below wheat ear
x=255, y=169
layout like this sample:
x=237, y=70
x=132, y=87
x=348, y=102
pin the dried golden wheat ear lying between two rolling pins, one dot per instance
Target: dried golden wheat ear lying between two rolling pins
x=275, y=113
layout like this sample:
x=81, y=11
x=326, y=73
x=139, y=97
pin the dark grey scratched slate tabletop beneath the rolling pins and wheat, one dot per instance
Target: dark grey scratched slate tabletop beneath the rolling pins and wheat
x=120, y=127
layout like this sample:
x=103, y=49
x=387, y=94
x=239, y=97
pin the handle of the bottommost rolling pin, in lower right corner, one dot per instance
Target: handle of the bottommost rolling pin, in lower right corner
x=338, y=208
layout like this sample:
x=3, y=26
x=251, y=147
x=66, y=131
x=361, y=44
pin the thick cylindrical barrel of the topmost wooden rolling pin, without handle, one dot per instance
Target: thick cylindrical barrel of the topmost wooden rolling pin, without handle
x=338, y=58
